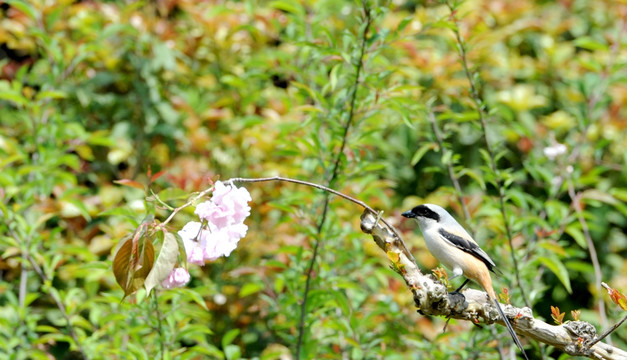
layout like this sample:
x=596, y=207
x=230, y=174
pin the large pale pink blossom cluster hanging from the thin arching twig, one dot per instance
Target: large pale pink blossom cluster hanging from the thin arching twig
x=223, y=218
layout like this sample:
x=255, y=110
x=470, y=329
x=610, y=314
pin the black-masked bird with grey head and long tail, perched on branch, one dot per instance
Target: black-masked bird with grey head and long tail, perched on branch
x=451, y=244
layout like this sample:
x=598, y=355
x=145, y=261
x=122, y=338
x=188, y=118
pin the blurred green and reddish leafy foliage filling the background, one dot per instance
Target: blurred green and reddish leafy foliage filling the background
x=92, y=92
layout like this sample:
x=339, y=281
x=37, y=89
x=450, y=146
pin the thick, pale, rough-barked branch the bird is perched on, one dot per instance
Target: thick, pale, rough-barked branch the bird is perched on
x=575, y=338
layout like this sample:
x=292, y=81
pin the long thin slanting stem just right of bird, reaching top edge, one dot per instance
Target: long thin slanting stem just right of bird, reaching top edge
x=481, y=108
